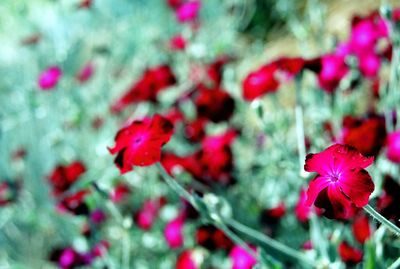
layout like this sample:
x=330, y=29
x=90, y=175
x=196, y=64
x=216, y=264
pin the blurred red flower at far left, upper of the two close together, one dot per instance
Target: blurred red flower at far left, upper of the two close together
x=63, y=177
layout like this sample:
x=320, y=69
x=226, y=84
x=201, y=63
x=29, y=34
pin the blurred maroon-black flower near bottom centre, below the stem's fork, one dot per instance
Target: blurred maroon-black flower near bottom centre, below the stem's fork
x=213, y=238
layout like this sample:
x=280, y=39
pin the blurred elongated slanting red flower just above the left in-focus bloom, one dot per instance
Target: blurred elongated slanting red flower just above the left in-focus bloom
x=147, y=88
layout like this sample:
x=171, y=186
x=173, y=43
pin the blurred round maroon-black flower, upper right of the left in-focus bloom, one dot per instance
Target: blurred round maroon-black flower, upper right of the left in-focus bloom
x=214, y=104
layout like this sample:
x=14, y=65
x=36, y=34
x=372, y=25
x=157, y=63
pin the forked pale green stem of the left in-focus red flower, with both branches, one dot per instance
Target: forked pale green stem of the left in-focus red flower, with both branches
x=277, y=246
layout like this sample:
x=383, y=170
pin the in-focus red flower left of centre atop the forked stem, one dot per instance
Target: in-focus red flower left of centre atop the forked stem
x=140, y=143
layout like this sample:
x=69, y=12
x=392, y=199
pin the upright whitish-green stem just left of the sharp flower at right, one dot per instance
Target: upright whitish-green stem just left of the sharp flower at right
x=301, y=148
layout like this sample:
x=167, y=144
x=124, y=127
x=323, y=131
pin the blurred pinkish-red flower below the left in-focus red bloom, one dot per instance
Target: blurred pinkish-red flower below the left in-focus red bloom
x=146, y=216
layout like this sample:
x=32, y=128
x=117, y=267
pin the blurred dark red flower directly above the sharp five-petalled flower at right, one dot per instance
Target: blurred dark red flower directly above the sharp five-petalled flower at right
x=367, y=135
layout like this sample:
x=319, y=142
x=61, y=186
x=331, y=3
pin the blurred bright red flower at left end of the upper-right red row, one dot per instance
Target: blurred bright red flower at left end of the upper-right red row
x=260, y=82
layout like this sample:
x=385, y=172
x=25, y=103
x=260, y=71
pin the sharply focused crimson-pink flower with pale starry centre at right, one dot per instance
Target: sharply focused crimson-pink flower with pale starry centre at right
x=341, y=181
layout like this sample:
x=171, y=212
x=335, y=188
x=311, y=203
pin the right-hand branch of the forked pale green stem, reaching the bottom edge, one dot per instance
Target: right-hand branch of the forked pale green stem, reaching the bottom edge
x=271, y=243
